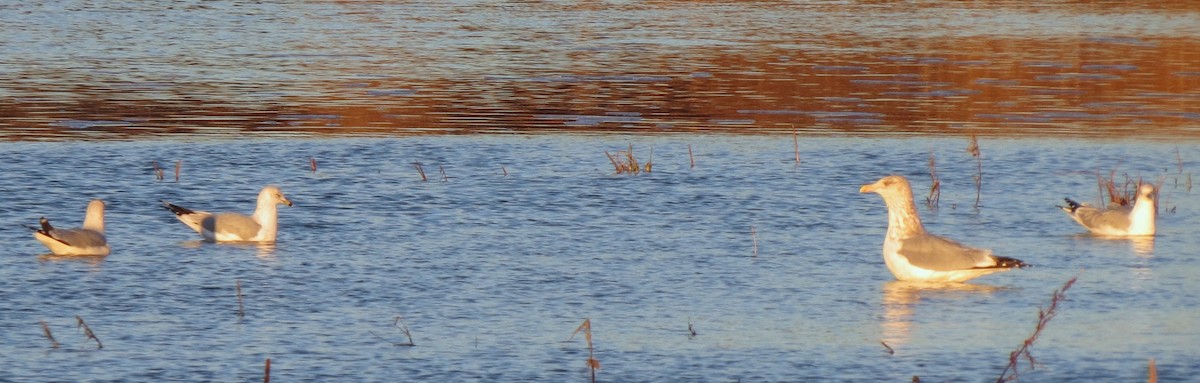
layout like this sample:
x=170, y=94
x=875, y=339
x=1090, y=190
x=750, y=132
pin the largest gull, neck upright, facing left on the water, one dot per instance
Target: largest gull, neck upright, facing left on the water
x=915, y=255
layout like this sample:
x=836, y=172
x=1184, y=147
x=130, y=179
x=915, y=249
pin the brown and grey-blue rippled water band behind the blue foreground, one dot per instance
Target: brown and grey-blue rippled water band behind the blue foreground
x=1054, y=69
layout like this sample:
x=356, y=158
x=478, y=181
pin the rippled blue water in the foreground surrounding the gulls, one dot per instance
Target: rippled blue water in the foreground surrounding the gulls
x=776, y=266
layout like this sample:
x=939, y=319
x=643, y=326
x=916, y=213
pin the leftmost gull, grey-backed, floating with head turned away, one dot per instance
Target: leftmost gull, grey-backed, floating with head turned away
x=87, y=241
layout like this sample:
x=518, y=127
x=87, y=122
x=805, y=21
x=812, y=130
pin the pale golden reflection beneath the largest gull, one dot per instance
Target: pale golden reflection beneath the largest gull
x=901, y=301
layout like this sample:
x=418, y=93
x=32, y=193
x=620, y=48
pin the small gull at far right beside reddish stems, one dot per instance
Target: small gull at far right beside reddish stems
x=1118, y=222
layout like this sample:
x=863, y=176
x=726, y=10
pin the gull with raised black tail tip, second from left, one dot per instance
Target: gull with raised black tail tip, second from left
x=224, y=228
